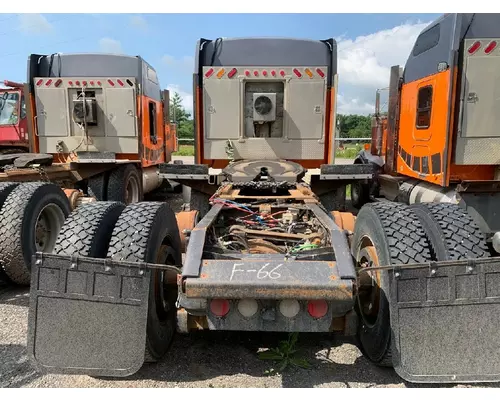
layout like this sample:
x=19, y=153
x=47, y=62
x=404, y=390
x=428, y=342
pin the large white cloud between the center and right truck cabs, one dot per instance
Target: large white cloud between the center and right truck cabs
x=364, y=64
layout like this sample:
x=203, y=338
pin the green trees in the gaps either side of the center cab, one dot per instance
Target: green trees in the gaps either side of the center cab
x=353, y=125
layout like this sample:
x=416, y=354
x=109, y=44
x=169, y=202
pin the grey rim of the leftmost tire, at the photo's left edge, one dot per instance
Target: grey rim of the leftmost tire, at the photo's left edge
x=47, y=226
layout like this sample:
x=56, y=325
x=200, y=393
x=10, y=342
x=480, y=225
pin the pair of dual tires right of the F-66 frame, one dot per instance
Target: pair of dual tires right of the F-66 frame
x=394, y=233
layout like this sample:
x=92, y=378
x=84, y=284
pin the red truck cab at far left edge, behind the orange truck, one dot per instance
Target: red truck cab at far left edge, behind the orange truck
x=13, y=121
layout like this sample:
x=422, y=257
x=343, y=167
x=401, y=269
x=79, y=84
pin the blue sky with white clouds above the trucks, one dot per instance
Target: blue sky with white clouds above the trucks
x=368, y=44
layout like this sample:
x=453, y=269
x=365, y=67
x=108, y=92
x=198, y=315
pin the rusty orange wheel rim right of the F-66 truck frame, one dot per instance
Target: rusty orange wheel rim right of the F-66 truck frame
x=369, y=282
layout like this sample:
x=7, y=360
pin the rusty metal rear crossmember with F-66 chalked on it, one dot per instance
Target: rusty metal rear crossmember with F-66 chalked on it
x=270, y=279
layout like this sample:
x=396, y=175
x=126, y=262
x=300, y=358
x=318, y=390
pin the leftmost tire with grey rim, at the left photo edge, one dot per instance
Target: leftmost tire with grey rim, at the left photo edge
x=30, y=221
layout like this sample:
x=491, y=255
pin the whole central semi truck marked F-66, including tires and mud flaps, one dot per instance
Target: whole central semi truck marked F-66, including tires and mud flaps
x=265, y=250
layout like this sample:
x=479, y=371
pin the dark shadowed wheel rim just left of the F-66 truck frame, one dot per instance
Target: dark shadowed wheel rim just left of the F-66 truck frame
x=163, y=290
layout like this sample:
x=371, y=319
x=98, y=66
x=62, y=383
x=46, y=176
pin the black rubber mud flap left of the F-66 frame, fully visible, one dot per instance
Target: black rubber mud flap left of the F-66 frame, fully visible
x=87, y=316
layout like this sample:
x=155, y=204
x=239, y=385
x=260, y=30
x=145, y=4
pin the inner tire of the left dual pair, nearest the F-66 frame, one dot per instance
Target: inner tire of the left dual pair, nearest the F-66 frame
x=147, y=232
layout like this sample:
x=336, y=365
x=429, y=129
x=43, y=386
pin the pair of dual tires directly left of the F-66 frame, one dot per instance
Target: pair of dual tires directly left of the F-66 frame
x=140, y=232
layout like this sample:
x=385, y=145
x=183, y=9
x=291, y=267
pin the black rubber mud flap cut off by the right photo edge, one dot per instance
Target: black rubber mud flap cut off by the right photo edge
x=445, y=320
